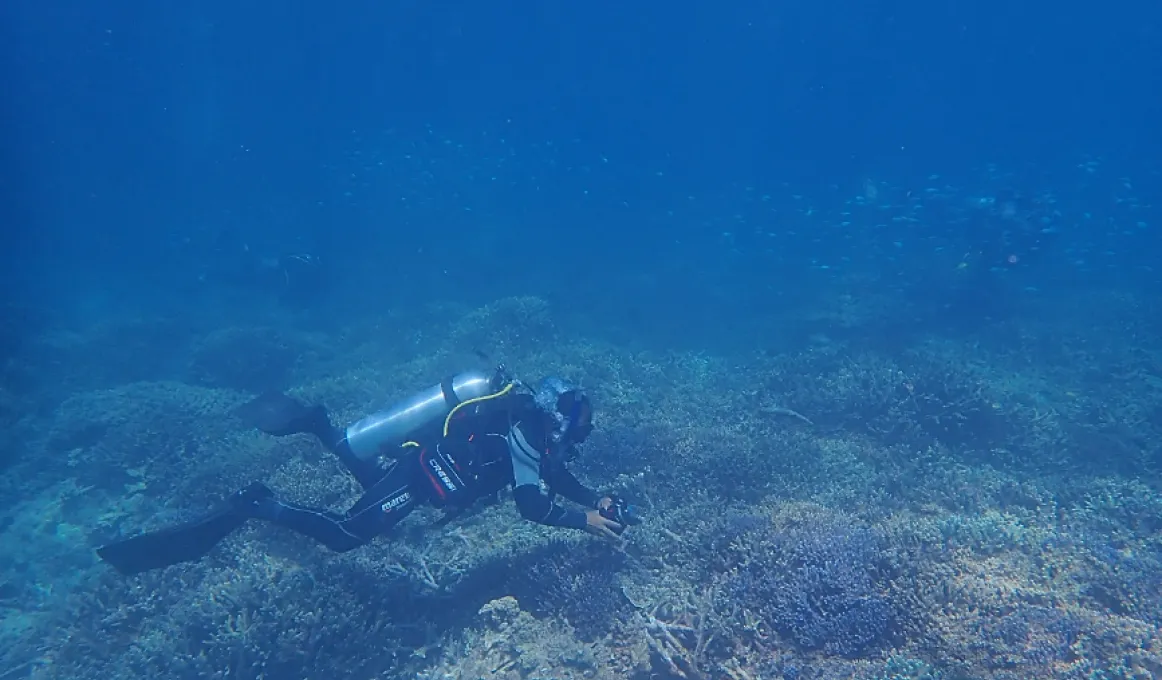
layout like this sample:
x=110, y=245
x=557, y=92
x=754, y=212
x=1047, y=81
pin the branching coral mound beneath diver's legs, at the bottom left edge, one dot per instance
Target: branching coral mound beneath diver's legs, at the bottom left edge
x=264, y=618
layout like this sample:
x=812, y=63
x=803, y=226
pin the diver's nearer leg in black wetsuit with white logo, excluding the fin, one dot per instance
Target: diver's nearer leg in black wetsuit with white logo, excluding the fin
x=381, y=509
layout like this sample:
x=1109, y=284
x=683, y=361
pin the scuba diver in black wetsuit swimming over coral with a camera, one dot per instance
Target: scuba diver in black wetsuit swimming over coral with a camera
x=449, y=446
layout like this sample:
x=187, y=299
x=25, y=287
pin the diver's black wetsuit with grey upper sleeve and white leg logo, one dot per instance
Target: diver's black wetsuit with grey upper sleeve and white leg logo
x=482, y=455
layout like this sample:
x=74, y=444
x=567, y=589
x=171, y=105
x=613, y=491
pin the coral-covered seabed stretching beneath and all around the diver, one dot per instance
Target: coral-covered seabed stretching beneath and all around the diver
x=917, y=513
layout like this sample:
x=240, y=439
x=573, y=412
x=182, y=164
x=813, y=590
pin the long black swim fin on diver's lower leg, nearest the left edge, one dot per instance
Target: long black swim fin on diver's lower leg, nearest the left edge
x=175, y=545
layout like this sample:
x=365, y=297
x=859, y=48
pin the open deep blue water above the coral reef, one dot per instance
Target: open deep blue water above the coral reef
x=719, y=180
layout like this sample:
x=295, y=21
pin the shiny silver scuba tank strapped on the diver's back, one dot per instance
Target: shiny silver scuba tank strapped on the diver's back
x=389, y=430
